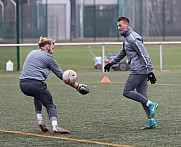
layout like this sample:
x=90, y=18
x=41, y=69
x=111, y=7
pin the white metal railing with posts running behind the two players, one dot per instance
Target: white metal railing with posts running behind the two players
x=103, y=44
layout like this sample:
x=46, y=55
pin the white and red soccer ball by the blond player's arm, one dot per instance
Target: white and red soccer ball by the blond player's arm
x=69, y=76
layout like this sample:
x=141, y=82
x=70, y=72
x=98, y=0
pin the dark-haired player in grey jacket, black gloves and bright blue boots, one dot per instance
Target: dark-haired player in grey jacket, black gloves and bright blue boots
x=141, y=70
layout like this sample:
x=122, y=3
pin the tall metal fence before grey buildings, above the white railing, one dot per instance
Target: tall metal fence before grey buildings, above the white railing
x=82, y=19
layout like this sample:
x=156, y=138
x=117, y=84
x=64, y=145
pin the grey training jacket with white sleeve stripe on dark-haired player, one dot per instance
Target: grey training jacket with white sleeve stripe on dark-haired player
x=138, y=59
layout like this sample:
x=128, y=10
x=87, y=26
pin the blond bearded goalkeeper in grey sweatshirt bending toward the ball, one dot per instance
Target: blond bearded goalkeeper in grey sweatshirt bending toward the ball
x=35, y=71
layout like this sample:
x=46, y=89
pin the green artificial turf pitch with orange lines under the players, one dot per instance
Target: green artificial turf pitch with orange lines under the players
x=102, y=118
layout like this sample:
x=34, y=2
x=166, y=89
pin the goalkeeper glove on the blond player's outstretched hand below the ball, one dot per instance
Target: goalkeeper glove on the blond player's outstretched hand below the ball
x=81, y=88
